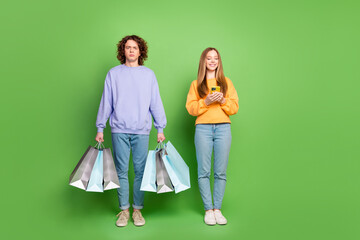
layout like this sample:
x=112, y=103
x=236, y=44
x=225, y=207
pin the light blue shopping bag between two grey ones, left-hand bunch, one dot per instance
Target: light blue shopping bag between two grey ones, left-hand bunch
x=96, y=178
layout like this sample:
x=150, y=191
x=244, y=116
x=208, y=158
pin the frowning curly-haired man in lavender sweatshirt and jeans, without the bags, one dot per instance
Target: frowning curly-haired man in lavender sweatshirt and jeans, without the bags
x=131, y=98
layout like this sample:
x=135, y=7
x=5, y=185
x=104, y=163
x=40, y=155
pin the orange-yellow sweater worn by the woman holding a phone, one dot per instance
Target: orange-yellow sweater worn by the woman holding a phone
x=215, y=112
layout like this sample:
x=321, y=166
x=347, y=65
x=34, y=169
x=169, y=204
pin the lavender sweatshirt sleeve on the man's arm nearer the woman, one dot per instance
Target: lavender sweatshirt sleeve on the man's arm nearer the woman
x=157, y=108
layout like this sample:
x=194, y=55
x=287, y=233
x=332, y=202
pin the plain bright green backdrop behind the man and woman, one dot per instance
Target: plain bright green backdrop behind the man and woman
x=294, y=163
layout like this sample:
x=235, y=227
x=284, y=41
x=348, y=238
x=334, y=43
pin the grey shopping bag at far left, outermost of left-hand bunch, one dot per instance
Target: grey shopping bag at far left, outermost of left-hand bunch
x=81, y=174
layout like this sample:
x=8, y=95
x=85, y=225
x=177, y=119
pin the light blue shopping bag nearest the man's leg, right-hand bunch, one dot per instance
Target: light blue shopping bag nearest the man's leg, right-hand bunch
x=148, y=182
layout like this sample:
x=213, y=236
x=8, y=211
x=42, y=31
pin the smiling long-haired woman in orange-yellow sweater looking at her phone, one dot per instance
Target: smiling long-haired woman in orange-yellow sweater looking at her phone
x=212, y=98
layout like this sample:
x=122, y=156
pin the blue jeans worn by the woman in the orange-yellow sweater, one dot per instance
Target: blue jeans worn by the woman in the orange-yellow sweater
x=209, y=137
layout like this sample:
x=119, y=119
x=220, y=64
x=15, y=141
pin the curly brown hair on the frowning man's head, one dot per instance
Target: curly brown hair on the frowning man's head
x=142, y=48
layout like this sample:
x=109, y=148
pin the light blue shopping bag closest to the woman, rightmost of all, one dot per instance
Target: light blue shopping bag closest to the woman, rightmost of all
x=176, y=167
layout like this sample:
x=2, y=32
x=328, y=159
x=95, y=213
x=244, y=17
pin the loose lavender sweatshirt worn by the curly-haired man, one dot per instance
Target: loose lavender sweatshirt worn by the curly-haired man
x=131, y=96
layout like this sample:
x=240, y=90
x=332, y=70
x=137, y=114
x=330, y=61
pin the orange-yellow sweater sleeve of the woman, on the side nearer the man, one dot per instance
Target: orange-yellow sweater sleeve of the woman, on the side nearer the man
x=195, y=105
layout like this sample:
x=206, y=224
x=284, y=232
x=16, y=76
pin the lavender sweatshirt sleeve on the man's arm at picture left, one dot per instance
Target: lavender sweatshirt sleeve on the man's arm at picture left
x=106, y=107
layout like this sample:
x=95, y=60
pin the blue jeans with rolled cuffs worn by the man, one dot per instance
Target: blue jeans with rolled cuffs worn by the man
x=139, y=144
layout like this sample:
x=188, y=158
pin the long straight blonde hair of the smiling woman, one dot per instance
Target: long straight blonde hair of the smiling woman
x=219, y=74
